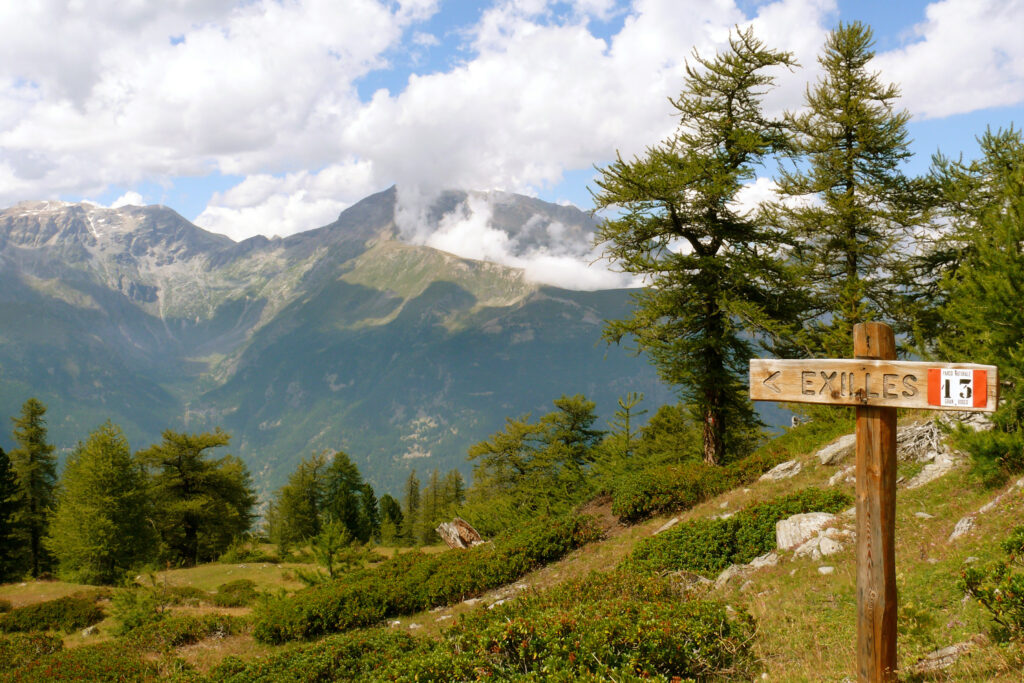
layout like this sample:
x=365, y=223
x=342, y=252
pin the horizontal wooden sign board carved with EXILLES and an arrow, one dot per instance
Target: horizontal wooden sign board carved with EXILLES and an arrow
x=879, y=382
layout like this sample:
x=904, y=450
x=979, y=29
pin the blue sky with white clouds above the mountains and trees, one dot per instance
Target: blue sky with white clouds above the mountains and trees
x=273, y=116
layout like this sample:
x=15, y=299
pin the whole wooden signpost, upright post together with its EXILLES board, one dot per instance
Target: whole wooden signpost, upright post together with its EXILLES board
x=877, y=385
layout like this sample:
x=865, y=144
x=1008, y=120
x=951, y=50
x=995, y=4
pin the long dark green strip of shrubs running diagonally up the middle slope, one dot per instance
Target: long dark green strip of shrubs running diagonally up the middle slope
x=413, y=582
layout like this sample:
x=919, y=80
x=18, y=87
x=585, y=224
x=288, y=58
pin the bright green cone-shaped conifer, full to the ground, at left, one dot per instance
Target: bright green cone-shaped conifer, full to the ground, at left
x=101, y=527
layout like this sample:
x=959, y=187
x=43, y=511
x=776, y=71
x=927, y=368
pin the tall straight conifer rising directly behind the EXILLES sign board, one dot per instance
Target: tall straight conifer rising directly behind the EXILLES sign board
x=846, y=203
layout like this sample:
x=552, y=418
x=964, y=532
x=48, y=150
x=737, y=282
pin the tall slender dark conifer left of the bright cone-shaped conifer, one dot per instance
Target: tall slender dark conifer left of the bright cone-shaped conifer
x=36, y=469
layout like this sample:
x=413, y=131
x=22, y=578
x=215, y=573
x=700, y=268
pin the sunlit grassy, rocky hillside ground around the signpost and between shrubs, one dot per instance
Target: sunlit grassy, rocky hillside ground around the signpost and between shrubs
x=803, y=606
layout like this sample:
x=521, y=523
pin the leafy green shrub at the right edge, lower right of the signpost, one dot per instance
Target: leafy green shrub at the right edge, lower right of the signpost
x=1000, y=588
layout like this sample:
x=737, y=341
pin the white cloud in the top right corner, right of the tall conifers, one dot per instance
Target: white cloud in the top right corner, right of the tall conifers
x=969, y=56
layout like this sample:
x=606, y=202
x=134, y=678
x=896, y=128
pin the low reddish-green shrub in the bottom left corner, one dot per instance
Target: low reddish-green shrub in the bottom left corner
x=105, y=662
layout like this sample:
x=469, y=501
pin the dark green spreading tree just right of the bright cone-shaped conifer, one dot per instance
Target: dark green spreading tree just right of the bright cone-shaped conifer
x=201, y=505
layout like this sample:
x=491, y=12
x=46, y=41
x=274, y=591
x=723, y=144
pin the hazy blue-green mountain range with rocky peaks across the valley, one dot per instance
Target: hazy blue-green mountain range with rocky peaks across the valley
x=348, y=336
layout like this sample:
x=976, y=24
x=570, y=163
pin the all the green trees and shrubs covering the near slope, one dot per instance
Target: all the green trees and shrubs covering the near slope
x=847, y=238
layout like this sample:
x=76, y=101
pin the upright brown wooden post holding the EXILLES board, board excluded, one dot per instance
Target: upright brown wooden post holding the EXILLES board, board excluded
x=876, y=519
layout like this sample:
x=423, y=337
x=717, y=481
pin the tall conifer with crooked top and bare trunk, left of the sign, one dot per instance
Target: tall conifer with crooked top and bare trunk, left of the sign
x=714, y=274
